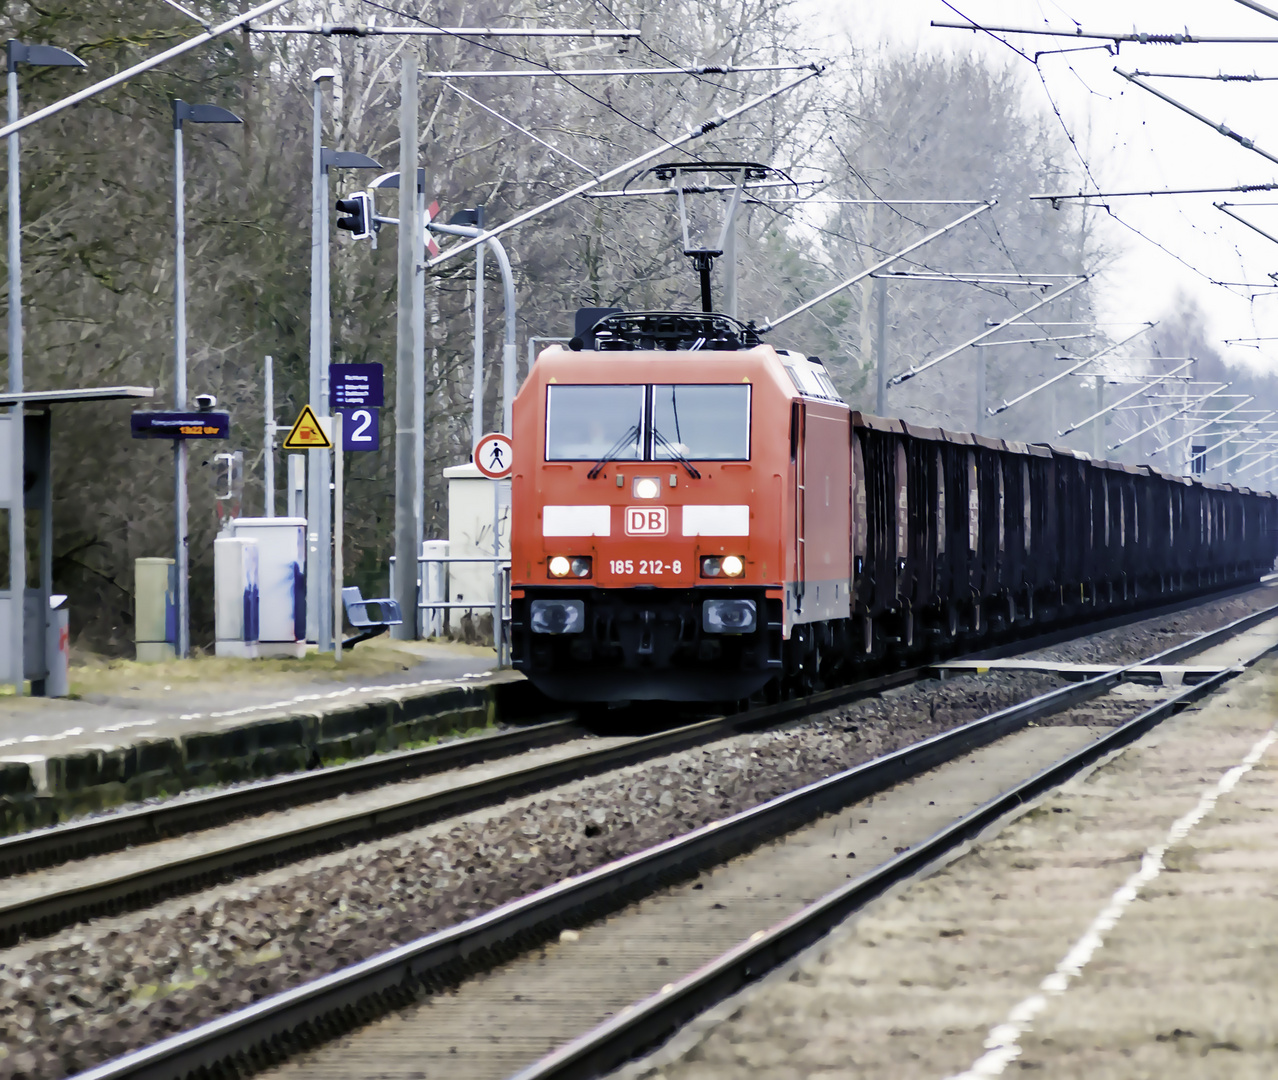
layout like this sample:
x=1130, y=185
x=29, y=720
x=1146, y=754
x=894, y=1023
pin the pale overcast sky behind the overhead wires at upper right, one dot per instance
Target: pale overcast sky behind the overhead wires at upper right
x=1133, y=141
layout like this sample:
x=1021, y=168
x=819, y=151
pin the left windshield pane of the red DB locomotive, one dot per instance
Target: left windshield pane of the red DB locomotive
x=585, y=424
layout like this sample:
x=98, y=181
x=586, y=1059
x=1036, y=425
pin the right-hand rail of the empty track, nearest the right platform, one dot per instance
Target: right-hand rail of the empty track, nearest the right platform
x=654, y=1021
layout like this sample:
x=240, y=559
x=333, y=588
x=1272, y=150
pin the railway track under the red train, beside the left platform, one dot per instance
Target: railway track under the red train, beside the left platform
x=40, y=906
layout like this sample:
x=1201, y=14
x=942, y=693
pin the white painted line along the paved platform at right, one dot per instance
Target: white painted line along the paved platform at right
x=1003, y=1045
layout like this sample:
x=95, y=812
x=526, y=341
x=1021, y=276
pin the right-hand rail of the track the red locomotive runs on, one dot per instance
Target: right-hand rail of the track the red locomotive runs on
x=113, y=895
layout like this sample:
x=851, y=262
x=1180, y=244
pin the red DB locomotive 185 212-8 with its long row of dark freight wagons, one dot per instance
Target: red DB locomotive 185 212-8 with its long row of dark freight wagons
x=698, y=517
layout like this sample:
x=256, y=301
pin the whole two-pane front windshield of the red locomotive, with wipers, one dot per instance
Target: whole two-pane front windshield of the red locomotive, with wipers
x=652, y=424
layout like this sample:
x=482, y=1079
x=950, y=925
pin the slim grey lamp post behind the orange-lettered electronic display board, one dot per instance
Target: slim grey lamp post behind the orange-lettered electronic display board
x=196, y=114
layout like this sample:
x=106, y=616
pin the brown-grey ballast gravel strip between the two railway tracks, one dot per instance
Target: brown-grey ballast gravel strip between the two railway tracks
x=100, y=995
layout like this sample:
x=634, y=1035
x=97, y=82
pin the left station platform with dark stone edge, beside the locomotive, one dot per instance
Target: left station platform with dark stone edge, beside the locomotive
x=132, y=732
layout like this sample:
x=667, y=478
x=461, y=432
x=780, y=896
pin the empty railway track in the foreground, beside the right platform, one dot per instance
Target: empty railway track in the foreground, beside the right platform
x=684, y=986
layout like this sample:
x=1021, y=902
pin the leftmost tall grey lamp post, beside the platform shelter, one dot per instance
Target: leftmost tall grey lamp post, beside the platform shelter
x=44, y=57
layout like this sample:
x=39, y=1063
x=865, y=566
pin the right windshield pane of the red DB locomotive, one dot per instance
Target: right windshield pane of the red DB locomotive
x=706, y=424
